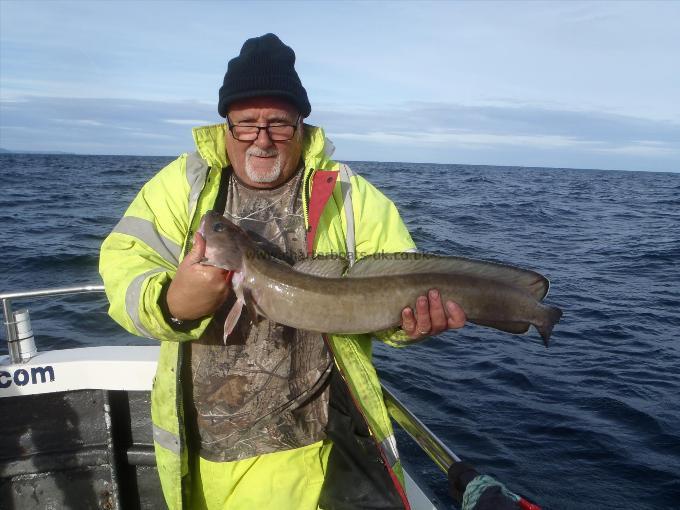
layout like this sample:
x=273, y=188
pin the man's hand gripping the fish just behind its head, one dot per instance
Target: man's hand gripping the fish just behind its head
x=197, y=290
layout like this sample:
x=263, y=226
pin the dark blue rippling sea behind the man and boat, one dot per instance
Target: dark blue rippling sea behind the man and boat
x=591, y=422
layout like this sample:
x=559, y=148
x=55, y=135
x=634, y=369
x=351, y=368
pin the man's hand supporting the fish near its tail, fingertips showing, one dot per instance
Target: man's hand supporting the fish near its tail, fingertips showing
x=430, y=317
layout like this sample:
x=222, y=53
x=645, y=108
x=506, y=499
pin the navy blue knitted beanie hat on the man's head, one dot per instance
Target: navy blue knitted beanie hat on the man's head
x=265, y=67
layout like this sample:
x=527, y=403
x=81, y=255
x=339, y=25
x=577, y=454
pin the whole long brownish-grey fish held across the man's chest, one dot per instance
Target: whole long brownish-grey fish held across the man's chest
x=322, y=294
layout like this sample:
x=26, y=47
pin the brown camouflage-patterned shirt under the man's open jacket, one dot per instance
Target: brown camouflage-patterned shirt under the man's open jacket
x=265, y=388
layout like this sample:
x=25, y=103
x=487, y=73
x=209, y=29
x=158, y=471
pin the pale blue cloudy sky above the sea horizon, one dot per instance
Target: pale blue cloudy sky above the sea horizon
x=553, y=84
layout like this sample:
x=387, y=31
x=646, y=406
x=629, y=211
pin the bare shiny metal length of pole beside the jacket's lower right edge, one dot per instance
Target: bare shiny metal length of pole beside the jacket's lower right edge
x=430, y=443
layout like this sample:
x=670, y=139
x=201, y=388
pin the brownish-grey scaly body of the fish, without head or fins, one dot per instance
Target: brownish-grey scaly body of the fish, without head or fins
x=363, y=305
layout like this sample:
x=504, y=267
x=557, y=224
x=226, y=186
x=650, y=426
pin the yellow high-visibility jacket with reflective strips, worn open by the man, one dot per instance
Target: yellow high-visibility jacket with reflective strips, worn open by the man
x=140, y=257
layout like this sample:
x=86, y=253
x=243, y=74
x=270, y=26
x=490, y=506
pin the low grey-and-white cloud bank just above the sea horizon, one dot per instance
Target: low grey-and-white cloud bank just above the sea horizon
x=504, y=133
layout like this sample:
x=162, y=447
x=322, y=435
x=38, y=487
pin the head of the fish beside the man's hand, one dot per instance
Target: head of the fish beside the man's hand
x=226, y=244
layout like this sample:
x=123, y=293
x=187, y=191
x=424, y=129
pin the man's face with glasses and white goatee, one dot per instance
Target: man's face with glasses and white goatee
x=264, y=163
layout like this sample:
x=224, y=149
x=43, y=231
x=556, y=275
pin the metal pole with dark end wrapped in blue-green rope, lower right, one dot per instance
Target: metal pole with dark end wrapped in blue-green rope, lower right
x=470, y=489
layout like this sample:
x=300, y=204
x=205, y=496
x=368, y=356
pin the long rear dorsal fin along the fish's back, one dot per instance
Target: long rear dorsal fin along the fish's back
x=408, y=263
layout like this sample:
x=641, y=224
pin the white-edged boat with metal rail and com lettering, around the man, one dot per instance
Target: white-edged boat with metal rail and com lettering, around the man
x=76, y=423
